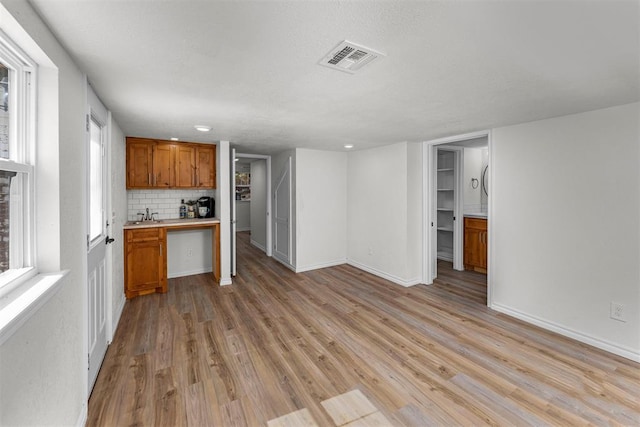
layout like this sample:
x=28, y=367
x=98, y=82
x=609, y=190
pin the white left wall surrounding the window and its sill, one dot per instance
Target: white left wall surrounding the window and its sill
x=43, y=366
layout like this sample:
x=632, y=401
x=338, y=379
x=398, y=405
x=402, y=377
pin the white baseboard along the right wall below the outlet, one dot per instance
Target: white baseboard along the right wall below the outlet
x=625, y=352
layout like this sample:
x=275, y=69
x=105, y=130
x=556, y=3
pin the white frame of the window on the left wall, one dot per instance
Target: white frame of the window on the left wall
x=22, y=141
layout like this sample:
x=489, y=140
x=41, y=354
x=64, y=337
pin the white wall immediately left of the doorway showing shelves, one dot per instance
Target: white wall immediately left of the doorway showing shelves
x=383, y=201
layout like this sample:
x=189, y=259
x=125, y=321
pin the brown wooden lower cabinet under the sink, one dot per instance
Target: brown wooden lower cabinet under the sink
x=145, y=261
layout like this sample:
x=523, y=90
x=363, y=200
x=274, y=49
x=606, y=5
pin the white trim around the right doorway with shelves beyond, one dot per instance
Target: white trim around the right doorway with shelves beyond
x=428, y=177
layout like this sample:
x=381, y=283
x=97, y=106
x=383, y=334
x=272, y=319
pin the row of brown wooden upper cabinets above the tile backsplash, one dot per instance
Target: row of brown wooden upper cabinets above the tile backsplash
x=165, y=164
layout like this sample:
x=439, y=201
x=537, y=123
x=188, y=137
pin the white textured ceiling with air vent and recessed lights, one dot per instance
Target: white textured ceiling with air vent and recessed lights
x=249, y=68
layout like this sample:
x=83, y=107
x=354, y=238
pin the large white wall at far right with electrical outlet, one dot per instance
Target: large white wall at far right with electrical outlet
x=564, y=225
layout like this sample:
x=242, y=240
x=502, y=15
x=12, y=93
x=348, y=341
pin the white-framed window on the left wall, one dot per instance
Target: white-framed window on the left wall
x=17, y=120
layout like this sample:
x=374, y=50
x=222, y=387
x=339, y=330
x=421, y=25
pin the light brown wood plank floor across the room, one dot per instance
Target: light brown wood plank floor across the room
x=277, y=343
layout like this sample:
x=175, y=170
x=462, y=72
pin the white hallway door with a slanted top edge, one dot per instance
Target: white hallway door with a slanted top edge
x=282, y=215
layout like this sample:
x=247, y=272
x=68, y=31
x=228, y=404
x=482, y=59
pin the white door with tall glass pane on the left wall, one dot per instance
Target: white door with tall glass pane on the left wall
x=97, y=140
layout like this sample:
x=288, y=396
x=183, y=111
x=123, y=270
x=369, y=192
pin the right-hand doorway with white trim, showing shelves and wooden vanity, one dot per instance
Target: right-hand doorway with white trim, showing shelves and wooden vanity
x=457, y=206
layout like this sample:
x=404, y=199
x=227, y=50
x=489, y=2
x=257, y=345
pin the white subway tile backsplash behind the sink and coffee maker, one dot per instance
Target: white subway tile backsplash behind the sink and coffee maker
x=165, y=202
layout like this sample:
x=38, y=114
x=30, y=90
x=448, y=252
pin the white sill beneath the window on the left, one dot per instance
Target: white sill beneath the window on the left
x=24, y=301
